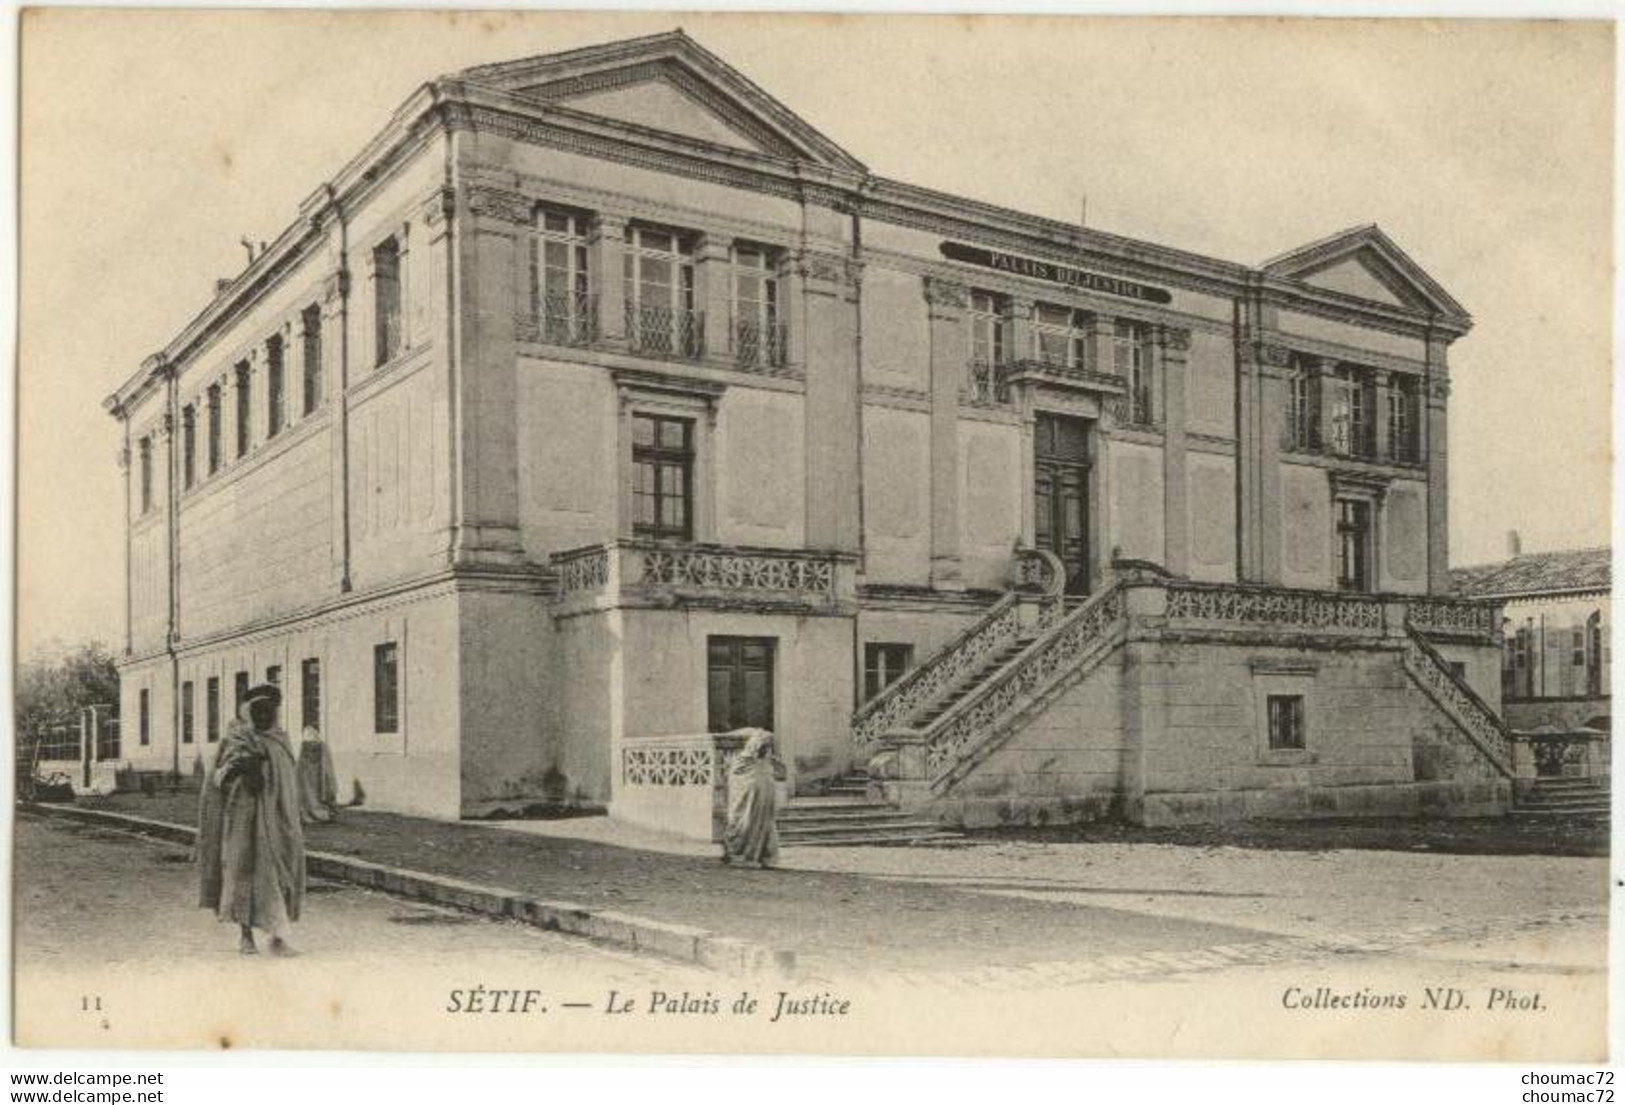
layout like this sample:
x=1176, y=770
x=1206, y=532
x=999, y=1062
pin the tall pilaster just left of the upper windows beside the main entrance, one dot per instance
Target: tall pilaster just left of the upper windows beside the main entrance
x=950, y=353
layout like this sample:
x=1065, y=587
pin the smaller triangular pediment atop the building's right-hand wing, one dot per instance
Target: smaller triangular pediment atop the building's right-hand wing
x=1366, y=264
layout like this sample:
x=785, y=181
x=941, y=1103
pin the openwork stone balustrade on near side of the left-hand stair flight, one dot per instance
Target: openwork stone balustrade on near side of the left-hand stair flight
x=981, y=714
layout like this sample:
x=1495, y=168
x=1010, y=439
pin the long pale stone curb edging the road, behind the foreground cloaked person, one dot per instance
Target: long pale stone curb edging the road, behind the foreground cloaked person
x=626, y=930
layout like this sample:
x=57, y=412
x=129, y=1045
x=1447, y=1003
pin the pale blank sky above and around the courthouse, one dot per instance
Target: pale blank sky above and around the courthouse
x=155, y=141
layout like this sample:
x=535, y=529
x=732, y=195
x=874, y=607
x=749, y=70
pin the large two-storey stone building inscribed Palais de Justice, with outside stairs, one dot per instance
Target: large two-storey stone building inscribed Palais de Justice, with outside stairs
x=602, y=404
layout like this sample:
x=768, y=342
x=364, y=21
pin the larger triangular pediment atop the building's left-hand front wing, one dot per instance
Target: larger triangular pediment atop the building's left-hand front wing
x=672, y=85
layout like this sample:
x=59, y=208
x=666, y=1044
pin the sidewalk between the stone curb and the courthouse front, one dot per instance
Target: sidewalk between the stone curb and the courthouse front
x=836, y=924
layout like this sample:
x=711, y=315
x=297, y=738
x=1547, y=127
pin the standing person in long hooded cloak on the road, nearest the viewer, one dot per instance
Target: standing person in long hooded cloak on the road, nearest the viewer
x=251, y=847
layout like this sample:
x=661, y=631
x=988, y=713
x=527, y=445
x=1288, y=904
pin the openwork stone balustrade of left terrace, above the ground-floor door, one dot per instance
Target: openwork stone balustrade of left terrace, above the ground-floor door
x=649, y=573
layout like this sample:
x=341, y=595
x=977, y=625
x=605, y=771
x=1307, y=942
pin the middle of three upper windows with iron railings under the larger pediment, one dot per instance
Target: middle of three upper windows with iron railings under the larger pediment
x=661, y=316
